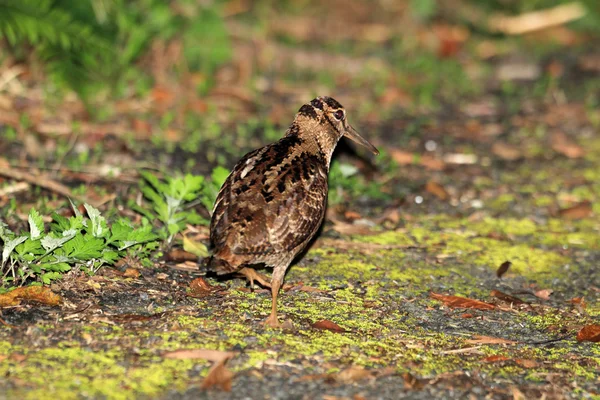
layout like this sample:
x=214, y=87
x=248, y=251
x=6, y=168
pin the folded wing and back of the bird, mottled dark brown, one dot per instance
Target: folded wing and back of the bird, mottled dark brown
x=272, y=202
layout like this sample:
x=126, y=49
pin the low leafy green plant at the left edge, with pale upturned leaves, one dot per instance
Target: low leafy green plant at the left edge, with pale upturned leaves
x=84, y=242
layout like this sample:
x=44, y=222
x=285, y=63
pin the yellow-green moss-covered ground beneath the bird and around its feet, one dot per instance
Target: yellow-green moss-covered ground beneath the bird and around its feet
x=380, y=297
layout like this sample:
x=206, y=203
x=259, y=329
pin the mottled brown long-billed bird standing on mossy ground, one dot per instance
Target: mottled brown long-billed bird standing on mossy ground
x=274, y=200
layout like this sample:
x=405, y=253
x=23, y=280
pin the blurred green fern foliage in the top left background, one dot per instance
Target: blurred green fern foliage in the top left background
x=84, y=44
